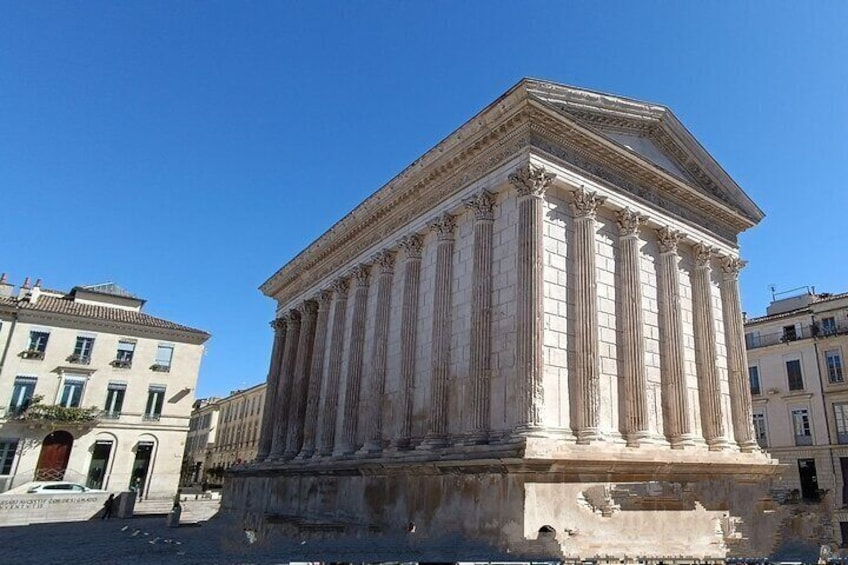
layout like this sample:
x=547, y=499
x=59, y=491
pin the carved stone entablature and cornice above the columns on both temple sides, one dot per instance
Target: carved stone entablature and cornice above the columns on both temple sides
x=509, y=127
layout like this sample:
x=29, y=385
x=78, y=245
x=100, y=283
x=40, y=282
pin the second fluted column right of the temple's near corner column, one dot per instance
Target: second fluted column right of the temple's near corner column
x=634, y=420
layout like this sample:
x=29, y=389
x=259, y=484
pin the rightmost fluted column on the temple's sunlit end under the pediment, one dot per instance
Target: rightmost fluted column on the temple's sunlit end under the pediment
x=737, y=355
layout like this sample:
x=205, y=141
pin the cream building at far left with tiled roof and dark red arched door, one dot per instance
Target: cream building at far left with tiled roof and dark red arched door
x=93, y=390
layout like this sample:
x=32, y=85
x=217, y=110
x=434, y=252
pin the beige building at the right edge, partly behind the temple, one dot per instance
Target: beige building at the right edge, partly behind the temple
x=796, y=365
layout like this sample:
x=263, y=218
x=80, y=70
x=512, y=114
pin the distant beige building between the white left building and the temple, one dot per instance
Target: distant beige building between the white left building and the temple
x=222, y=433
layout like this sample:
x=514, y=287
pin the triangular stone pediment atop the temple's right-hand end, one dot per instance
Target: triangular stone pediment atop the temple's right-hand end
x=651, y=133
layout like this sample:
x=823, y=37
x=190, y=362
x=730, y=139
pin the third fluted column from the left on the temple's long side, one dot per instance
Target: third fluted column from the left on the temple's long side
x=308, y=313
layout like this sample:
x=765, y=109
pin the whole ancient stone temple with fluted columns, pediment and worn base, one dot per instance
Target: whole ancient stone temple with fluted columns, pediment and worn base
x=529, y=340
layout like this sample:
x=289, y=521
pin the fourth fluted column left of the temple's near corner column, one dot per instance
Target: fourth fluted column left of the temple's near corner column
x=385, y=262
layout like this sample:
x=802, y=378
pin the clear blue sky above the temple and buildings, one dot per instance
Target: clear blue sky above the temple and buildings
x=187, y=150
